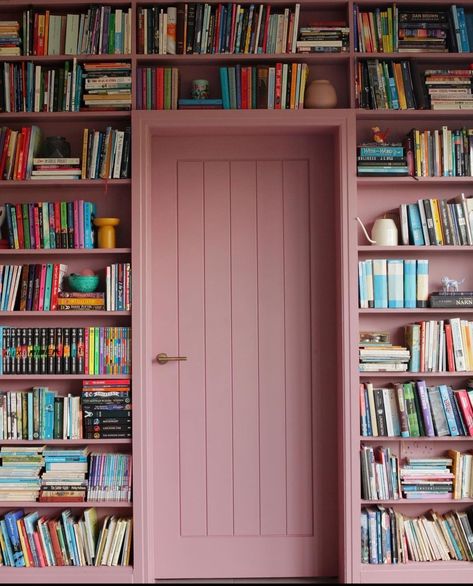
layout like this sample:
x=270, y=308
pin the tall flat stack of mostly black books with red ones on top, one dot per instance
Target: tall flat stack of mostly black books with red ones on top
x=106, y=408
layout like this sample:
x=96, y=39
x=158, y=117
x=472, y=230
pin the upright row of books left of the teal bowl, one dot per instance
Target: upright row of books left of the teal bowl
x=31, y=287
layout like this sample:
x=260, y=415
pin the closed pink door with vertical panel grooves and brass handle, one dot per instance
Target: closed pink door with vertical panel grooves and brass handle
x=244, y=456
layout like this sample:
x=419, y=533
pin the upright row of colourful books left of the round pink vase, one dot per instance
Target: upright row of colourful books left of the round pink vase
x=279, y=86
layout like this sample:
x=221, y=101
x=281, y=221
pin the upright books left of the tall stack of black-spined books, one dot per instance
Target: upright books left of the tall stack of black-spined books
x=39, y=413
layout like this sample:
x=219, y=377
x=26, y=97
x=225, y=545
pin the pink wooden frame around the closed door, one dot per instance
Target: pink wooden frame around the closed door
x=146, y=125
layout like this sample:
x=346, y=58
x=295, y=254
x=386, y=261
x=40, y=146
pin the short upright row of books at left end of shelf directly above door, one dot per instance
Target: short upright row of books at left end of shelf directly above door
x=157, y=88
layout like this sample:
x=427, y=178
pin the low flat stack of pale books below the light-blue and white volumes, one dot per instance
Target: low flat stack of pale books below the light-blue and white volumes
x=383, y=357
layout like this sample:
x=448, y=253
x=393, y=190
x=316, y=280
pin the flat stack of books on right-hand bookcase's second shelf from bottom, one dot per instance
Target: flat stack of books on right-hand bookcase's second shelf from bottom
x=427, y=478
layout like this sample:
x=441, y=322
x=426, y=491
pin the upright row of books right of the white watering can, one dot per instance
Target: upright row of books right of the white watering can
x=437, y=222
